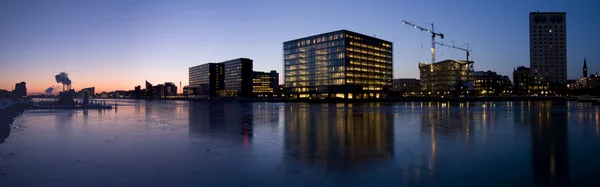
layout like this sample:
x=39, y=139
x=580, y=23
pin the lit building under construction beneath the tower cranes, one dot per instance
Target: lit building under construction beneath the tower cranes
x=440, y=77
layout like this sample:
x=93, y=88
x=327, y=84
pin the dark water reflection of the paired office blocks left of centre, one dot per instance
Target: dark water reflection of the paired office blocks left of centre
x=221, y=119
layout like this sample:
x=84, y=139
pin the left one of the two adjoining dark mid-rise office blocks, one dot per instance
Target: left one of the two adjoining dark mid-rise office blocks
x=206, y=79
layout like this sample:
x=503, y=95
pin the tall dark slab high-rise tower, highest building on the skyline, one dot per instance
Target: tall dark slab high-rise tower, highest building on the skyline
x=548, y=47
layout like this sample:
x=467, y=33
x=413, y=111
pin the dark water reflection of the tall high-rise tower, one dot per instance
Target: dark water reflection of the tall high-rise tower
x=550, y=153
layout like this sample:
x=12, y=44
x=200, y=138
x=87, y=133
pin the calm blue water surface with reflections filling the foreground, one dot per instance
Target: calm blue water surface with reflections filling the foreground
x=180, y=143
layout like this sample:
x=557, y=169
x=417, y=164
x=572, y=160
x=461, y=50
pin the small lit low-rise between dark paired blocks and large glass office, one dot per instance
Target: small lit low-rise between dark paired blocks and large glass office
x=264, y=84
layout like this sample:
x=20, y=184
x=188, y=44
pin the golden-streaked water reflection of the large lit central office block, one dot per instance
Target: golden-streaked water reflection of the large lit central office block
x=338, y=134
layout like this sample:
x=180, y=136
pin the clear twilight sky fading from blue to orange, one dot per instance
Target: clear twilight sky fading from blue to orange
x=117, y=44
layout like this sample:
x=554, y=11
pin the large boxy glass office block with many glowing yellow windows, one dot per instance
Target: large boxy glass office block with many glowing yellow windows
x=339, y=64
